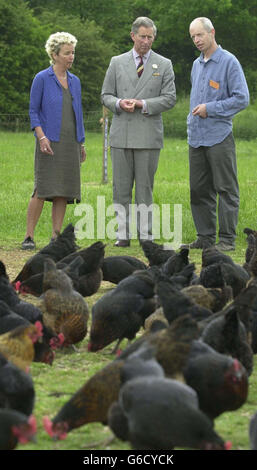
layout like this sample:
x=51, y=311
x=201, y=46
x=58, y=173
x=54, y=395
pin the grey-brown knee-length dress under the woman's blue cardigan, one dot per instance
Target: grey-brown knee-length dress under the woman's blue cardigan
x=58, y=175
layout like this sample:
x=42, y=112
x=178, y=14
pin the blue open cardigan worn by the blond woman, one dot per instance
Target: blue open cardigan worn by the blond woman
x=46, y=104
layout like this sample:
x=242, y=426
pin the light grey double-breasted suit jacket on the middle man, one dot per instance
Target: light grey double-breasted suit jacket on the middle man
x=156, y=86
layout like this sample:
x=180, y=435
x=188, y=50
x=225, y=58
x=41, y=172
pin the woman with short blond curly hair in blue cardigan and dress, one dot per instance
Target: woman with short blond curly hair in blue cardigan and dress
x=57, y=119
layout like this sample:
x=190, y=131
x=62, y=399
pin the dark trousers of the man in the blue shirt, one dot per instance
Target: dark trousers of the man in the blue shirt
x=213, y=182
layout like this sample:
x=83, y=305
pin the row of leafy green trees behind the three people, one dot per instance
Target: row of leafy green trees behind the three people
x=102, y=29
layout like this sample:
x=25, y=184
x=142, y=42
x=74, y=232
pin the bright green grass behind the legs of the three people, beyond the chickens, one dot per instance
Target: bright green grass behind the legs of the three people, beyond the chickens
x=171, y=187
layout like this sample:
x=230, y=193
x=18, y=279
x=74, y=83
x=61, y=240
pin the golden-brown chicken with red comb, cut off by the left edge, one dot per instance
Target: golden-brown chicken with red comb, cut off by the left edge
x=18, y=345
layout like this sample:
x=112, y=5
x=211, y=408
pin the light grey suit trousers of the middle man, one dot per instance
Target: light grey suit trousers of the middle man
x=129, y=166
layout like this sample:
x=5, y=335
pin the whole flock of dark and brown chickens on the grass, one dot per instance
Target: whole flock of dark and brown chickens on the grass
x=191, y=363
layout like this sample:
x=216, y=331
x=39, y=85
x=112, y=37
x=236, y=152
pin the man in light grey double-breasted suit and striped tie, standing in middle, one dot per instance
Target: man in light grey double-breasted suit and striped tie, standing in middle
x=138, y=87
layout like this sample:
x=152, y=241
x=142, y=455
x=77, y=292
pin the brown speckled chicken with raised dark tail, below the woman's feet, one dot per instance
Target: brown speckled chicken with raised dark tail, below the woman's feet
x=64, y=310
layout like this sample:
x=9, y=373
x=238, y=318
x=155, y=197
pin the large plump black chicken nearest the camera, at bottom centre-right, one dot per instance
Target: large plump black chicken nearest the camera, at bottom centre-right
x=156, y=413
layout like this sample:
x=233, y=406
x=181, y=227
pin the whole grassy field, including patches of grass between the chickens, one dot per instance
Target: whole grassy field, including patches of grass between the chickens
x=54, y=385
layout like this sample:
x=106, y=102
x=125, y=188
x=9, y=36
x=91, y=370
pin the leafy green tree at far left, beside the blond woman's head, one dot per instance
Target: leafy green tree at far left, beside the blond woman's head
x=21, y=44
